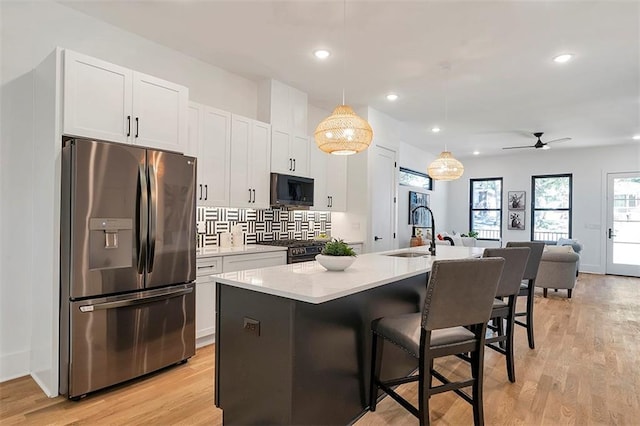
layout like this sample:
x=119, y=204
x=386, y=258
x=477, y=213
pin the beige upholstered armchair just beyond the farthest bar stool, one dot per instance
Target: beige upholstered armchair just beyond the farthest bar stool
x=558, y=269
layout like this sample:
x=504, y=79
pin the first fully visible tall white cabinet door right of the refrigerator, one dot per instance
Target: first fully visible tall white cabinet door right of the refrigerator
x=214, y=158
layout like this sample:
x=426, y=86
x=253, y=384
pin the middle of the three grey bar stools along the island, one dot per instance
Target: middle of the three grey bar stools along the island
x=509, y=287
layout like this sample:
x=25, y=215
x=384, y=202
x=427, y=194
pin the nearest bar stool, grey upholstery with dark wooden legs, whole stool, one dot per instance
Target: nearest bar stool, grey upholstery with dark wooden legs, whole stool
x=453, y=321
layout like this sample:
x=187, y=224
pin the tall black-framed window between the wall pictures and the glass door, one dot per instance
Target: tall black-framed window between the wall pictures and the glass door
x=551, y=207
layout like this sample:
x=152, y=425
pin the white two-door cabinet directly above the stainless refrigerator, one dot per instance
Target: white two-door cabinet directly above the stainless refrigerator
x=110, y=102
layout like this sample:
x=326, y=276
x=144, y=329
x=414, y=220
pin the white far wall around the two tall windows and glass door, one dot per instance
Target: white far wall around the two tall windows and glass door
x=589, y=168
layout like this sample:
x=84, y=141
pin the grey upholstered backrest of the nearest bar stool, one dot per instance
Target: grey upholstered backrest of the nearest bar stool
x=460, y=292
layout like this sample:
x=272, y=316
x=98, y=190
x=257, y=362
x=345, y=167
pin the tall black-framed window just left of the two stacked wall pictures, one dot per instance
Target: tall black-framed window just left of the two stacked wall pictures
x=485, y=214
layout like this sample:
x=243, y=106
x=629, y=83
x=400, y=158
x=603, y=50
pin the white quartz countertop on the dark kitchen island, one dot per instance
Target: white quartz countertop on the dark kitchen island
x=310, y=282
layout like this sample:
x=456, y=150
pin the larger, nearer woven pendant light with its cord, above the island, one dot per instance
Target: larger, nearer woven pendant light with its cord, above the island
x=343, y=132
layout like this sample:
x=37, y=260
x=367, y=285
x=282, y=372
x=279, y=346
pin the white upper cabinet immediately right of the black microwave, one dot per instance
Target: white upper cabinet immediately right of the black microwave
x=330, y=180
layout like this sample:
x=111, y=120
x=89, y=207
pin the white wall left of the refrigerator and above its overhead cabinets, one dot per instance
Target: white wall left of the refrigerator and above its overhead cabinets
x=29, y=33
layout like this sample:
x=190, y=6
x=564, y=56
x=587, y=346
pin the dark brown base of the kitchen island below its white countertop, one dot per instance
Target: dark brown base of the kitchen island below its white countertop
x=304, y=364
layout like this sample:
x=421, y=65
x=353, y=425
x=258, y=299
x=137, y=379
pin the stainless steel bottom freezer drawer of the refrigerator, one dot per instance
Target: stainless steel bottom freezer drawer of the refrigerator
x=114, y=339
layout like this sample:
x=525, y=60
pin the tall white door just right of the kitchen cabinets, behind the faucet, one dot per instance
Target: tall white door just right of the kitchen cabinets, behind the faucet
x=383, y=208
